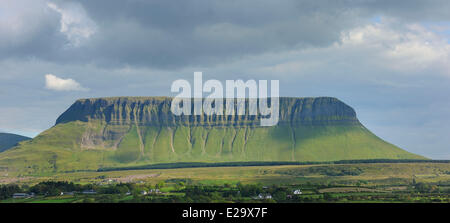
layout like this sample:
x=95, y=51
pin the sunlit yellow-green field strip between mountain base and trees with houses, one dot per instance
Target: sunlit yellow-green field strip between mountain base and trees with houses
x=373, y=173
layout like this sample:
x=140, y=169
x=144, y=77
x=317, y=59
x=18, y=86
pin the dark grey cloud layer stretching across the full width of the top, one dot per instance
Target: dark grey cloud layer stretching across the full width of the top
x=174, y=34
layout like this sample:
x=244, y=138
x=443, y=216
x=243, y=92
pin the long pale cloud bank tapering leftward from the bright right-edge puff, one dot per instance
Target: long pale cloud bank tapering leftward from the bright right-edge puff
x=370, y=52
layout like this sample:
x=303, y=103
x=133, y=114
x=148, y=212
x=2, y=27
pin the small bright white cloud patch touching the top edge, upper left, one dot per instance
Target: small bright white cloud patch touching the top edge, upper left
x=75, y=23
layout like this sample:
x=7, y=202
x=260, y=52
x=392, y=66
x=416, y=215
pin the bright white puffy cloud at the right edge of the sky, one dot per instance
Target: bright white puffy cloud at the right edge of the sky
x=406, y=48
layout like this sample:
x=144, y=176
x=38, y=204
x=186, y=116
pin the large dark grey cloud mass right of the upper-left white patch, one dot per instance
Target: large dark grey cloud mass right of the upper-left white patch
x=198, y=33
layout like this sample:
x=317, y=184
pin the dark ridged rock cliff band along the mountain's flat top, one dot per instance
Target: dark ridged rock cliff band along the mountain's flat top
x=155, y=111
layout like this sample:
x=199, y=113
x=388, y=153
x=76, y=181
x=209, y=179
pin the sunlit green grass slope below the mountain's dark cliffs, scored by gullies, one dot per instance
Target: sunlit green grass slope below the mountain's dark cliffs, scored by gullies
x=60, y=148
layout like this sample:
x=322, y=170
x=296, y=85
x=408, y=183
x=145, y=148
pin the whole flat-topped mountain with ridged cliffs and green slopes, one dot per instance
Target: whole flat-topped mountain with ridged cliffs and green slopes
x=127, y=131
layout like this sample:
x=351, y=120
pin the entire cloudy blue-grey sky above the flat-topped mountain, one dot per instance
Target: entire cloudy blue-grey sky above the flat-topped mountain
x=389, y=60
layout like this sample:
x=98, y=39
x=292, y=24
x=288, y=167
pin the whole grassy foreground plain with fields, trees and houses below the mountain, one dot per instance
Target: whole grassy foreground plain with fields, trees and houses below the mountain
x=375, y=182
